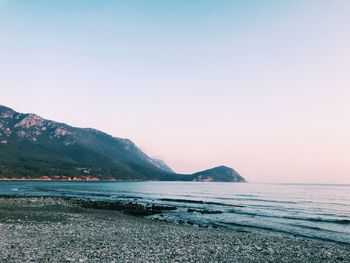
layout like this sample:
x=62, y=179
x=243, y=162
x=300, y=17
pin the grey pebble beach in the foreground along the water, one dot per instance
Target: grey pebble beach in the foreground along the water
x=47, y=229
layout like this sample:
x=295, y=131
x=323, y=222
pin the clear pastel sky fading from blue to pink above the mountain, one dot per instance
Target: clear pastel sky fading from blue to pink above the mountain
x=261, y=86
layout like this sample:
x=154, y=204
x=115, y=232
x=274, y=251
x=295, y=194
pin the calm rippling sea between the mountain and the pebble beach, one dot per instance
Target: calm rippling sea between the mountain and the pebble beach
x=314, y=211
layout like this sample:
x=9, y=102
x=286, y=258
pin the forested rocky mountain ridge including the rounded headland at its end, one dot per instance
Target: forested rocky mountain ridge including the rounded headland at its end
x=33, y=147
